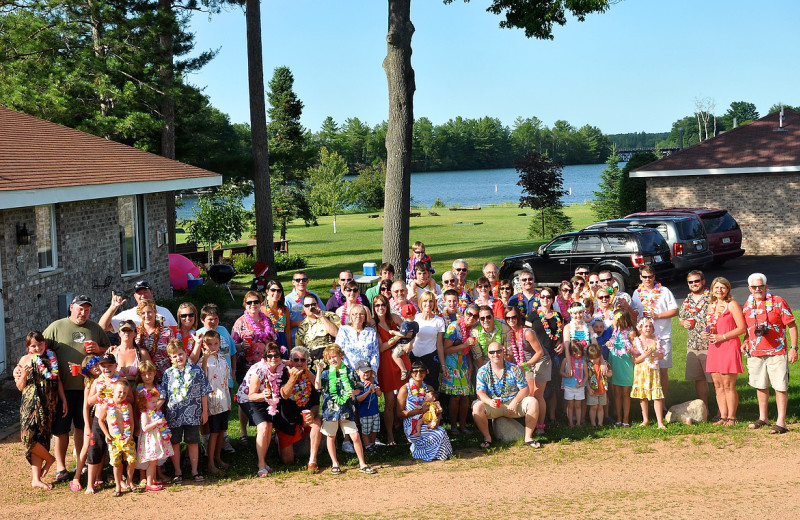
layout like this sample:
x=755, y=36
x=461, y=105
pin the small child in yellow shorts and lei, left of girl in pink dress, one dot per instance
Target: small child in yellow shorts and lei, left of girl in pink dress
x=116, y=420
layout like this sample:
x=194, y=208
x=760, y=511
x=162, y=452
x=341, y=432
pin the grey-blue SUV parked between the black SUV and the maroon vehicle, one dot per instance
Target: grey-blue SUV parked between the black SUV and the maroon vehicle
x=685, y=235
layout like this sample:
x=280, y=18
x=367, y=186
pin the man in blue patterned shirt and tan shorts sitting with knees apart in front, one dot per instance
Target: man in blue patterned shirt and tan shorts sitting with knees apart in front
x=503, y=392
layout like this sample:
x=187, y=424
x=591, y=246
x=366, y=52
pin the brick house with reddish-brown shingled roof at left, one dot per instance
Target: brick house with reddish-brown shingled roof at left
x=80, y=215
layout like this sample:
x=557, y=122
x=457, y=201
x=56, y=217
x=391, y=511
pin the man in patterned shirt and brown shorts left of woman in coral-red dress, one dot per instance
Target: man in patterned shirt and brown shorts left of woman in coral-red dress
x=692, y=316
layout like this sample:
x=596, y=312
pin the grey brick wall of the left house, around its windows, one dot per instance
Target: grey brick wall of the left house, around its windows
x=88, y=252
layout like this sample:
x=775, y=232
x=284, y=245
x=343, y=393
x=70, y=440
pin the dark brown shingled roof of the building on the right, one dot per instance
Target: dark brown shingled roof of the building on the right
x=757, y=147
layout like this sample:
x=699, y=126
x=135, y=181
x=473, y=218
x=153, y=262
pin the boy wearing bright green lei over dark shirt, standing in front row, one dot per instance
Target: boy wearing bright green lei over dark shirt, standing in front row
x=339, y=385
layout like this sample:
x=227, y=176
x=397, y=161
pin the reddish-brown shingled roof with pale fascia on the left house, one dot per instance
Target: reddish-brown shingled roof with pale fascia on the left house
x=46, y=163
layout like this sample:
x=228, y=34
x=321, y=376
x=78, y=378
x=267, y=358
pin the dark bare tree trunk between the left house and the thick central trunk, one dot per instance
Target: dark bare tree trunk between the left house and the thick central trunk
x=258, y=129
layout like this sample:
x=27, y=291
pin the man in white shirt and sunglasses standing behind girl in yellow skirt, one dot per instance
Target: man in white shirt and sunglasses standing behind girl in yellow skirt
x=653, y=300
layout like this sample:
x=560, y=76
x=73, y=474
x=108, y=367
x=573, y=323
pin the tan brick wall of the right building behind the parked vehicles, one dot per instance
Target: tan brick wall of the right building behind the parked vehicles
x=766, y=206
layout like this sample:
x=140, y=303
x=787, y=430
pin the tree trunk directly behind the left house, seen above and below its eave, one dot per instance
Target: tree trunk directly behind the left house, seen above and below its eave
x=166, y=73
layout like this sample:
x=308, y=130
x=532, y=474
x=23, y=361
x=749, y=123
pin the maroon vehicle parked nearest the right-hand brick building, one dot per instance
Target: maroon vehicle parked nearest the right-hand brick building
x=724, y=234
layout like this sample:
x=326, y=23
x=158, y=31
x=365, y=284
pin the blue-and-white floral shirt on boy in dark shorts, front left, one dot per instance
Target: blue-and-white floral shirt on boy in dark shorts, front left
x=184, y=410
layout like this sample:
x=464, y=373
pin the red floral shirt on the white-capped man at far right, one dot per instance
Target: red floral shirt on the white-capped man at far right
x=775, y=312
